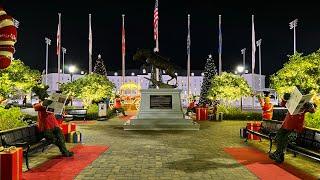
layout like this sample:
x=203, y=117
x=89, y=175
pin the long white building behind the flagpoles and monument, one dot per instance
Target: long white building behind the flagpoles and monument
x=195, y=83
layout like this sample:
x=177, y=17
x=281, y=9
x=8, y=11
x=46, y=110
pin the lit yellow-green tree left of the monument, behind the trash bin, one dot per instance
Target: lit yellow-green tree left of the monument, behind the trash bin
x=91, y=87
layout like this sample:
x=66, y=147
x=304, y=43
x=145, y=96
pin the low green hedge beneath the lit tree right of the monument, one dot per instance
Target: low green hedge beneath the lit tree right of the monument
x=234, y=113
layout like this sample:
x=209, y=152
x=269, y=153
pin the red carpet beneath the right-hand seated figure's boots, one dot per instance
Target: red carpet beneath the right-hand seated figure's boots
x=263, y=167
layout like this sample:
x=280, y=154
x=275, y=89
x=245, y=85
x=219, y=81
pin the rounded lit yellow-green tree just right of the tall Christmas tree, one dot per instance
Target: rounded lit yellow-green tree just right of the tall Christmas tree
x=228, y=87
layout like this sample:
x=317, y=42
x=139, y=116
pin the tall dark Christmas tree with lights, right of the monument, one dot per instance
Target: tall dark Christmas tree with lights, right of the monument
x=209, y=71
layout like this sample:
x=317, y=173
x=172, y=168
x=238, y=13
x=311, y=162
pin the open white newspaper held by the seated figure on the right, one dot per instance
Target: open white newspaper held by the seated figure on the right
x=296, y=101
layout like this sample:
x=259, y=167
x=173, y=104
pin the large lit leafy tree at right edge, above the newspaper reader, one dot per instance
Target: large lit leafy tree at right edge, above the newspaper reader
x=301, y=71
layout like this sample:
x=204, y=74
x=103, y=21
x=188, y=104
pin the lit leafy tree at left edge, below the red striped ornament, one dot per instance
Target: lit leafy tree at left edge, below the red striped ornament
x=17, y=78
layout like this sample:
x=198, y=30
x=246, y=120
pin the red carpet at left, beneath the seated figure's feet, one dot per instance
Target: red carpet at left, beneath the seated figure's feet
x=65, y=168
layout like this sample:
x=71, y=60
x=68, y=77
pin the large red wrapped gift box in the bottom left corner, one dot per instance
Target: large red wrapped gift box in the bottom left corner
x=11, y=164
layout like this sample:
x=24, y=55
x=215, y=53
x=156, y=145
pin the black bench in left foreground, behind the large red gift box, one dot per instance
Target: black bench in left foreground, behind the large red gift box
x=26, y=137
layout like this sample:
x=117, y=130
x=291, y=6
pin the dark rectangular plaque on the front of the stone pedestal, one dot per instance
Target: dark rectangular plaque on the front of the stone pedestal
x=160, y=102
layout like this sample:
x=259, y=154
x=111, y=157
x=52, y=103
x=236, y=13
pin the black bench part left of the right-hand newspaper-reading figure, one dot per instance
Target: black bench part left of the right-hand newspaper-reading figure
x=268, y=130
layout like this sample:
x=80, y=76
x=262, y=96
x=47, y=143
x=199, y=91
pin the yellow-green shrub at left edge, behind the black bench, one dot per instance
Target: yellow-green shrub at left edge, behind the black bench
x=11, y=118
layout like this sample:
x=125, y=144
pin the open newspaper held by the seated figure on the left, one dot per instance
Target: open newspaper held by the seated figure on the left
x=58, y=103
